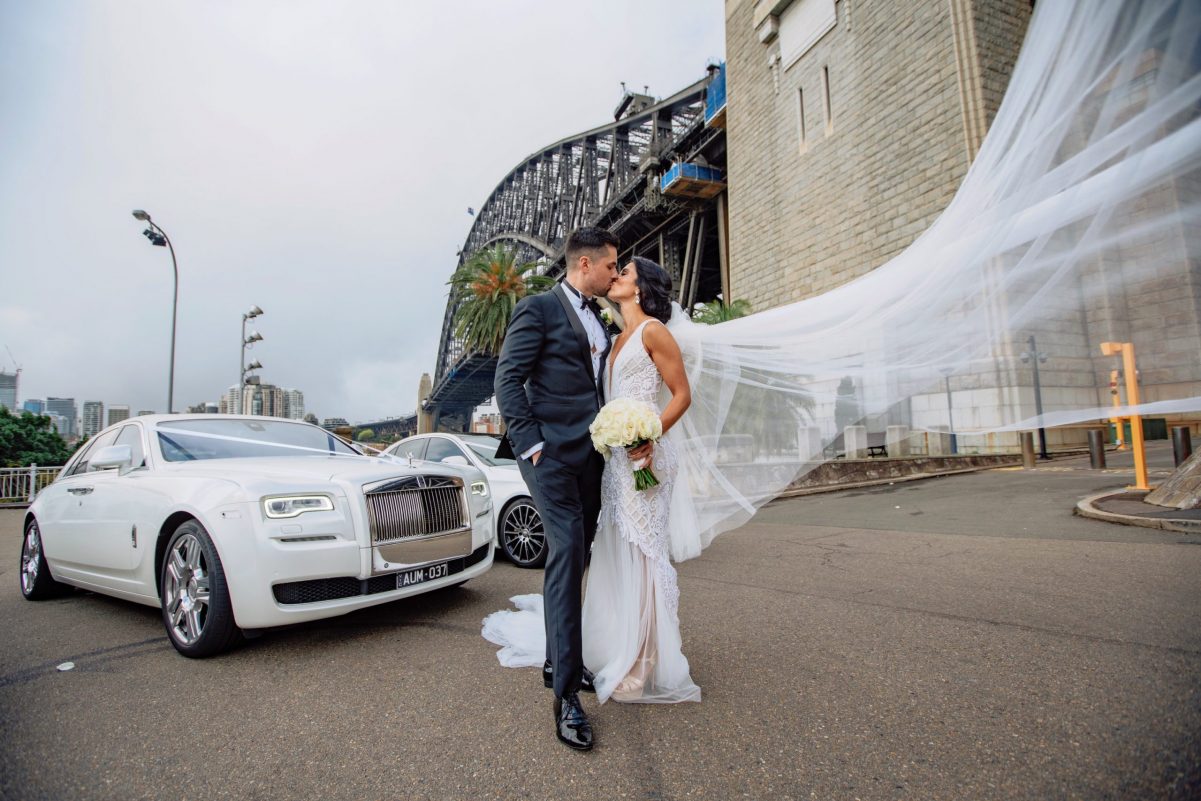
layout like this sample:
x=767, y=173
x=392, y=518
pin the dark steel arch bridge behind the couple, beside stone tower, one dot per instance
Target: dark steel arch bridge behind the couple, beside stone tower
x=612, y=176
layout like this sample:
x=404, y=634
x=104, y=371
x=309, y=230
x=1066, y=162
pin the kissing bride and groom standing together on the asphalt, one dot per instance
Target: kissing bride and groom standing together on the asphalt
x=557, y=370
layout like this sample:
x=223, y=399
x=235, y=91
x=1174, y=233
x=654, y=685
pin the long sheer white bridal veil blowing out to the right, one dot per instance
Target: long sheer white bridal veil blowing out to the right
x=1077, y=224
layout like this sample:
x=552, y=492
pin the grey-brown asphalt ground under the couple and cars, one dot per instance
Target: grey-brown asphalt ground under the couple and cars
x=957, y=638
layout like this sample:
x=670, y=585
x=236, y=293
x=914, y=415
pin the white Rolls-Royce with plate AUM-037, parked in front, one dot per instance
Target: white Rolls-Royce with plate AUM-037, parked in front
x=235, y=524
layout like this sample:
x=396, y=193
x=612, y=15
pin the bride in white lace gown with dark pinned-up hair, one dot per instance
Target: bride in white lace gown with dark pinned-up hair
x=631, y=625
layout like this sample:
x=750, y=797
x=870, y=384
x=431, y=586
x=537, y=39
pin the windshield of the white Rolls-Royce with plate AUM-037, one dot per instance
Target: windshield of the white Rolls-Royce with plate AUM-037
x=192, y=440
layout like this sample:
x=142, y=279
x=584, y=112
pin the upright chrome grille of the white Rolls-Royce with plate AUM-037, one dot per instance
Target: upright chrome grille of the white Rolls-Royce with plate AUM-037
x=416, y=507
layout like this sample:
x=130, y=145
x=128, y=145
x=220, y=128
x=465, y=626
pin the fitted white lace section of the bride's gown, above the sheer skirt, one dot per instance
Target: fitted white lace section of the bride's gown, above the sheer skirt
x=641, y=517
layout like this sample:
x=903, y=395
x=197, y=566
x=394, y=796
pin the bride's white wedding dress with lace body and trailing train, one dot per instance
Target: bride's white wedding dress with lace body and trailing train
x=631, y=602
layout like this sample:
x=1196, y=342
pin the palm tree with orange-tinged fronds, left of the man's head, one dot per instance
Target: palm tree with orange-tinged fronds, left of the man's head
x=487, y=289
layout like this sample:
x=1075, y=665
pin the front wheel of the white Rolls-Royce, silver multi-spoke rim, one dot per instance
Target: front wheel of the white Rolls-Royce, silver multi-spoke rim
x=196, y=607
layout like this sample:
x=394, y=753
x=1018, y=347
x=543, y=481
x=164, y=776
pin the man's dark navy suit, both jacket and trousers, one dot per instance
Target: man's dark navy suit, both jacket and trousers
x=547, y=393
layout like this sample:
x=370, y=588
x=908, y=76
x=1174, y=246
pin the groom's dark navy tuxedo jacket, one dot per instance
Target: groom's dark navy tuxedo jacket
x=545, y=384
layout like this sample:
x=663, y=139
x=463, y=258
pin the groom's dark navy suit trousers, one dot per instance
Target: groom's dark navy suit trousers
x=569, y=499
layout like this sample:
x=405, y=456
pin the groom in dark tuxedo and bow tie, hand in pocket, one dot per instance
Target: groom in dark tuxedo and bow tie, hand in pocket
x=548, y=387
